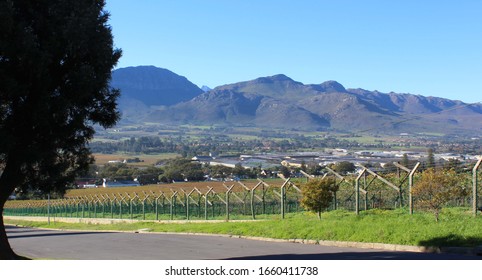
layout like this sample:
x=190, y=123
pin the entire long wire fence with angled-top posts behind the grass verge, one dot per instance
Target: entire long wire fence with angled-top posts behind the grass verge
x=368, y=189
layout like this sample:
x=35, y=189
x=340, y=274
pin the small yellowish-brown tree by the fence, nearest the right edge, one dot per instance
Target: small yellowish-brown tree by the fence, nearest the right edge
x=435, y=188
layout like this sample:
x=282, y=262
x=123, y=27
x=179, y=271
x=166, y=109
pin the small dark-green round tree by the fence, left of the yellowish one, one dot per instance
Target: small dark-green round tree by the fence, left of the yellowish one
x=317, y=194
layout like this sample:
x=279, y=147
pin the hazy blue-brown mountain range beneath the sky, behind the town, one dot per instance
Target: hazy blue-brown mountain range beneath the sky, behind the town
x=150, y=94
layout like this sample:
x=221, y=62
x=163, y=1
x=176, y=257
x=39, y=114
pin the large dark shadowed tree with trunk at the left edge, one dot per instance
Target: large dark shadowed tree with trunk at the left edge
x=56, y=58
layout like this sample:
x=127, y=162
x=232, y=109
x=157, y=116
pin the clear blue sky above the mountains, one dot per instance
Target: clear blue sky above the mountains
x=431, y=48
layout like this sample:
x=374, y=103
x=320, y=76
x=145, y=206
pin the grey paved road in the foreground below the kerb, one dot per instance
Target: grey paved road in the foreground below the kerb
x=84, y=245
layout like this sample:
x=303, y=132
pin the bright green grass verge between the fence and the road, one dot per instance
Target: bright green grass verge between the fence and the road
x=456, y=227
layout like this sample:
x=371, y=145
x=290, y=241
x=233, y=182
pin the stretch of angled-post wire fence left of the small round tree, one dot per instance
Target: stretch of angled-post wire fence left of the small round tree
x=173, y=205
